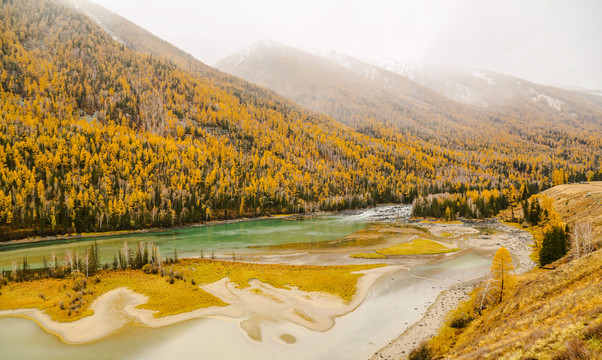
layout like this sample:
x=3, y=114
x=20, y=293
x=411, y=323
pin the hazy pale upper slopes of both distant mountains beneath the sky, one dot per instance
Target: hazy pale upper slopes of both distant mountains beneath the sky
x=410, y=96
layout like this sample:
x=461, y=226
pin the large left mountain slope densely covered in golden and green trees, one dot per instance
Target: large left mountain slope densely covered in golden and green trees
x=95, y=135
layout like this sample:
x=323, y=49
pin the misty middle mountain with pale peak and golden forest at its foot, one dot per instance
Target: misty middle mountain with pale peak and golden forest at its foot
x=361, y=94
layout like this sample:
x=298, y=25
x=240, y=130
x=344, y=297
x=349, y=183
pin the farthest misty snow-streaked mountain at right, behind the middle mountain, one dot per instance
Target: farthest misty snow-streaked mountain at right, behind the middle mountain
x=502, y=93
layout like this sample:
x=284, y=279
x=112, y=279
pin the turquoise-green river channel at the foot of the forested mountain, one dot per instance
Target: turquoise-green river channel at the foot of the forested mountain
x=189, y=242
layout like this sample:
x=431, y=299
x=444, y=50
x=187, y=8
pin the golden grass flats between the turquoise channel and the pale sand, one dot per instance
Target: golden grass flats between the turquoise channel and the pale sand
x=182, y=295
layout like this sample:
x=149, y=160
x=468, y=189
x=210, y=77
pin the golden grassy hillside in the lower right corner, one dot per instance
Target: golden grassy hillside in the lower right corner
x=545, y=311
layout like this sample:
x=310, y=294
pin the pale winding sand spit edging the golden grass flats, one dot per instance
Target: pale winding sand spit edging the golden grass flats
x=250, y=306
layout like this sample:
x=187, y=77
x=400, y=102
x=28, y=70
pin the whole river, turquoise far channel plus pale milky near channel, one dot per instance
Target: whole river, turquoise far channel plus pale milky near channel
x=394, y=303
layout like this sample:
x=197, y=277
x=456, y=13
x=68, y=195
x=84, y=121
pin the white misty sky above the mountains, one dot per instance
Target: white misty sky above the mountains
x=546, y=41
